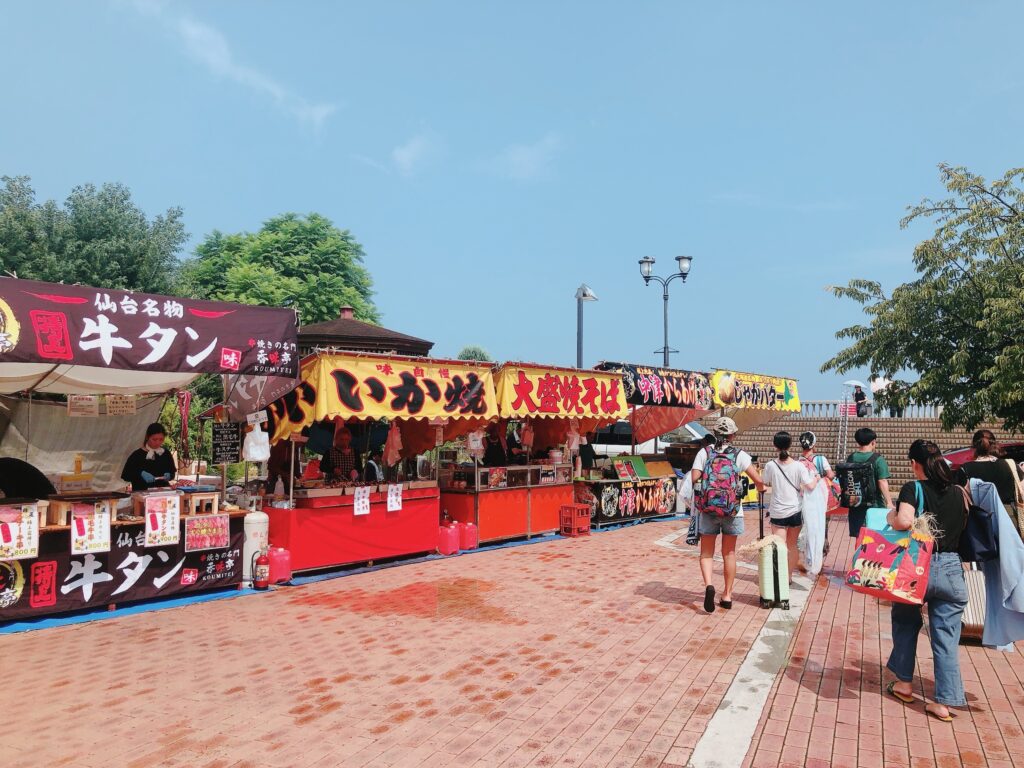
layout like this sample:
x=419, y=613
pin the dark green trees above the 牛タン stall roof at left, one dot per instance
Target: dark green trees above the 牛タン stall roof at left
x=99, y=237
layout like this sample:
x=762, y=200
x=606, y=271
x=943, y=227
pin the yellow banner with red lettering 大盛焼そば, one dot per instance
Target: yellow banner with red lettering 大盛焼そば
x=539, y=393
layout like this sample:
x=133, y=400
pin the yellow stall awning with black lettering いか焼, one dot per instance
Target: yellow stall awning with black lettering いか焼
x=354, y=387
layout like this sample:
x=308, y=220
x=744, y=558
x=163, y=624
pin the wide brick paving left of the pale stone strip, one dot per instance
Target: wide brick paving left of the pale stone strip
x=587, y=653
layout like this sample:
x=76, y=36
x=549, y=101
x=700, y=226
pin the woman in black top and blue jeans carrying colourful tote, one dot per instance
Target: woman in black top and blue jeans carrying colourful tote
x=947, y=592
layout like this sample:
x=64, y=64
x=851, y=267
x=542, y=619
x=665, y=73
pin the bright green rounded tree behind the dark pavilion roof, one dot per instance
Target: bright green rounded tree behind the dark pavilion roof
x=293, y=261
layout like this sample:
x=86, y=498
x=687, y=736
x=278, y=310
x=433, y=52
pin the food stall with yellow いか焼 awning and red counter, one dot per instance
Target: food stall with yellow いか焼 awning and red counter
x=337, y=523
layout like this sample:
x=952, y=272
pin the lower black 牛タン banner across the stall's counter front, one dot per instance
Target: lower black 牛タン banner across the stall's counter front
x=57, y=582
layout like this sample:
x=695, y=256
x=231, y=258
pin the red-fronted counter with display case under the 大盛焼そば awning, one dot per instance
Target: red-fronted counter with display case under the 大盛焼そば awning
x=506, y=502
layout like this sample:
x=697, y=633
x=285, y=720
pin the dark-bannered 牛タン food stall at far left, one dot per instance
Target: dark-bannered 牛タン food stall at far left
x=90, y=545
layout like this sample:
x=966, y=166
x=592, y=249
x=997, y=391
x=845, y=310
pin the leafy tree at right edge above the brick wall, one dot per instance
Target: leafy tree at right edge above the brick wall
x=959, y=326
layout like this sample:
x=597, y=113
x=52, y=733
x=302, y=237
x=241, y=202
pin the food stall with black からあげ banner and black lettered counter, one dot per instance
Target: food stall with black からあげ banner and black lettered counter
x=638, y=488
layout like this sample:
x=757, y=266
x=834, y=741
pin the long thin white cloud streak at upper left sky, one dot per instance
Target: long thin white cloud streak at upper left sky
x=207, y=46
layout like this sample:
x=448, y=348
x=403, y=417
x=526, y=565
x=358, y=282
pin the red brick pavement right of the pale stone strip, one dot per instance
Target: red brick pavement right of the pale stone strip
x=828, y=708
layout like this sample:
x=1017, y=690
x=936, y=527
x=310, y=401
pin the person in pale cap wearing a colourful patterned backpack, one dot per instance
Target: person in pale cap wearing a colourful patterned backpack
x=718, y=501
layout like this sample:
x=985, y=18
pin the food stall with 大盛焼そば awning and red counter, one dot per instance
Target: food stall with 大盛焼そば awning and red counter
x=525, y=500
